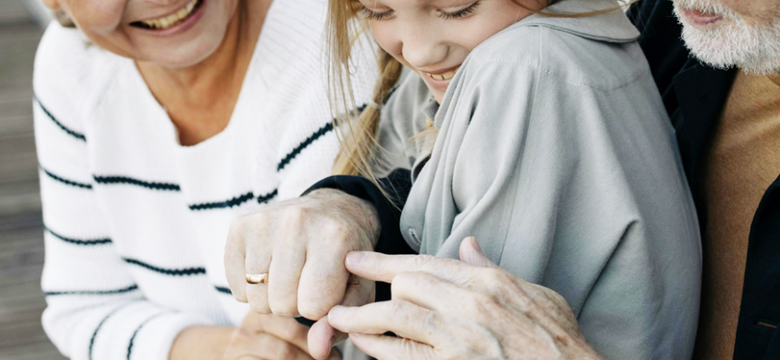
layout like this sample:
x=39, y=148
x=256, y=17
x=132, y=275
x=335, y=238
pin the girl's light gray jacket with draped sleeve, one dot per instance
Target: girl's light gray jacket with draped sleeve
x=555, y=151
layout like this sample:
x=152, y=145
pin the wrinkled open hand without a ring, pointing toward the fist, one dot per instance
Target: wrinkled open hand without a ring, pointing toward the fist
x=448, y=309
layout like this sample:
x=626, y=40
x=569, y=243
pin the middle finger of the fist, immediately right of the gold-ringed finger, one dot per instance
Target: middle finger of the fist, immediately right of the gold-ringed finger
x=286, y=265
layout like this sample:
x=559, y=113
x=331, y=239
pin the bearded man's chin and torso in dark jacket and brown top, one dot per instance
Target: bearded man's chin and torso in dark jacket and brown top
x=725, y=106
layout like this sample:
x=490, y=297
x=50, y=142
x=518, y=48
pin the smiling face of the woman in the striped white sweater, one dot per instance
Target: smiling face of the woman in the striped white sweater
x=171, y=33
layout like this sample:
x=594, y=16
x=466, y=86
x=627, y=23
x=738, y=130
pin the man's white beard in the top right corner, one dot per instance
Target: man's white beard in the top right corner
x=753, y=48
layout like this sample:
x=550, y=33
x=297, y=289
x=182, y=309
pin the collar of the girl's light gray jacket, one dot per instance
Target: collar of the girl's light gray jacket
x=611, y=27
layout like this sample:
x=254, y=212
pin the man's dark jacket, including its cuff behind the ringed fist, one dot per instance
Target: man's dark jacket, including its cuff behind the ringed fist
x=694, y=95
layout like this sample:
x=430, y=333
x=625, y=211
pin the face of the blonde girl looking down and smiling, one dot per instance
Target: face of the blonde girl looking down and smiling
x=433, y=37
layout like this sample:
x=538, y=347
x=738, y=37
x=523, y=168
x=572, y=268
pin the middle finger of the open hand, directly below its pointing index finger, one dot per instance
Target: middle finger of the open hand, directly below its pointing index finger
x=398, y=316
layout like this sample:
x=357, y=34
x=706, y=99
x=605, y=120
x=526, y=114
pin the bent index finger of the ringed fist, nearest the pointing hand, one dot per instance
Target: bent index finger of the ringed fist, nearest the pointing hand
x=323, y=281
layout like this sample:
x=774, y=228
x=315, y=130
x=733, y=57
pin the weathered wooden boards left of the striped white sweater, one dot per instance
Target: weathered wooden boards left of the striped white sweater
x=21, y=232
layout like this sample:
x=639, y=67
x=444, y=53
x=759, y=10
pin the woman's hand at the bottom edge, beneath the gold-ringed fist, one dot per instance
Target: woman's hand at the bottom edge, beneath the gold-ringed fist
x=269, y=337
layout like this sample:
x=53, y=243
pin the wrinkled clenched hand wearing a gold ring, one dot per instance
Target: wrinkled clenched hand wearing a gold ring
x=301, y=244
